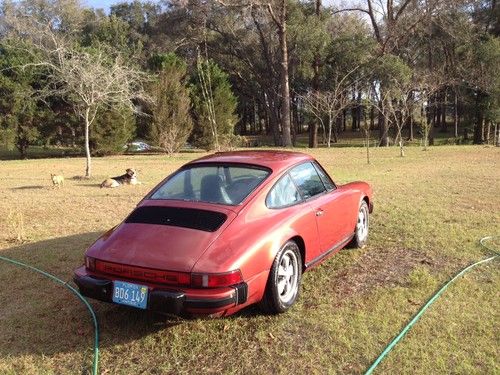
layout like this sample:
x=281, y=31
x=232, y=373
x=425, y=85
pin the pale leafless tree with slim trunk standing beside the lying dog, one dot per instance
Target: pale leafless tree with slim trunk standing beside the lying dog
x=91, y=78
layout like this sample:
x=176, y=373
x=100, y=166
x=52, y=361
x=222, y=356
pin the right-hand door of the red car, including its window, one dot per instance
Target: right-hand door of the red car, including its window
x=326, y=202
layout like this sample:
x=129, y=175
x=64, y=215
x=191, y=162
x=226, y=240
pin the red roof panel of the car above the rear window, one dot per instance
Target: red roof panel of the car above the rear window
x=275, y=160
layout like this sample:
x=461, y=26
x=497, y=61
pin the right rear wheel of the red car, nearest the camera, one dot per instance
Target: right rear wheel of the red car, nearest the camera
x=283, y=284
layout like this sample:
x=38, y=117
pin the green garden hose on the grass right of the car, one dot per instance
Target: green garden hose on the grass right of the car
x=394, y=341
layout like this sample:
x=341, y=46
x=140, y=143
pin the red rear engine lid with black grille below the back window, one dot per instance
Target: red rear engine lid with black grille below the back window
x=163, y=236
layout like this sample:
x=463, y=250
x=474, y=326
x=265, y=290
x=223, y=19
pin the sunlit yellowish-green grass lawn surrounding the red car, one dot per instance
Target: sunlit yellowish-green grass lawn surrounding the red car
x=431, y=208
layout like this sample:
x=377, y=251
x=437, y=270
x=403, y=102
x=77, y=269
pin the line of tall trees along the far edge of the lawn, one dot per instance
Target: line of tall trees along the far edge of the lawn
x=208, y=72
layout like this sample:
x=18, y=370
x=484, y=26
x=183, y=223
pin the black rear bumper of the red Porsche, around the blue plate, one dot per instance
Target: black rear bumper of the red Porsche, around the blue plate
x=166, y=300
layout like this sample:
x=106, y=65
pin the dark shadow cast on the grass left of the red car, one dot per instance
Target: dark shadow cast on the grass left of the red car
x=39, y=316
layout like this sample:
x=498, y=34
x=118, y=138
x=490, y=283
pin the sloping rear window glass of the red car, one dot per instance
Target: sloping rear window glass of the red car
x=223, y=184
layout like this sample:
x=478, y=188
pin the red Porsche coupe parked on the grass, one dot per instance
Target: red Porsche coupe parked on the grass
x=226, y=231
